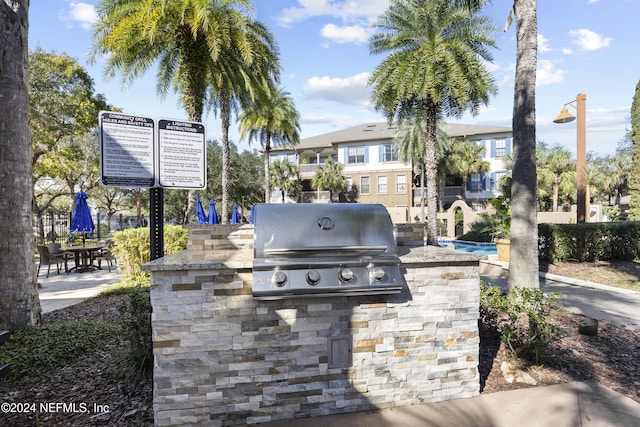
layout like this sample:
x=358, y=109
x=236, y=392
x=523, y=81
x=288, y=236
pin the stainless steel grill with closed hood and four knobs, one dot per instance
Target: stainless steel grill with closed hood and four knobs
x=304, y=250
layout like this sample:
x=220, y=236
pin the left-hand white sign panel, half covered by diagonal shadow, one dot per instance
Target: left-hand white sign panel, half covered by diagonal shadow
x=127, y=150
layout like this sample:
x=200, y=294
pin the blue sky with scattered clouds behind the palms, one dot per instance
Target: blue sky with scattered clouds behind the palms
x=584, y=46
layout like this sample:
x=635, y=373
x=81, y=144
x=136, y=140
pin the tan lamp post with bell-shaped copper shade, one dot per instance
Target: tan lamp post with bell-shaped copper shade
x=581, y=151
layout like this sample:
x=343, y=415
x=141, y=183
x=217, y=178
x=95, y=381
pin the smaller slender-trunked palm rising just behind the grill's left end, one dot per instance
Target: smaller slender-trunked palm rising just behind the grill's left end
x=271, y=119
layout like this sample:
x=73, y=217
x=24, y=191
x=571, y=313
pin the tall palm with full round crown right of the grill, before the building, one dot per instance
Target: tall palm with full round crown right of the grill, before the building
x=434, y=68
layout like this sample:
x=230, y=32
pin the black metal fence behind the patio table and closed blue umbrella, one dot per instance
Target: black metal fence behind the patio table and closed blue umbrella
x=55, y=227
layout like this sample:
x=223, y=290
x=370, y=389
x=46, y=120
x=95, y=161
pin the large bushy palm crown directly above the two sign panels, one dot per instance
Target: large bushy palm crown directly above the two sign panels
x=194, y=42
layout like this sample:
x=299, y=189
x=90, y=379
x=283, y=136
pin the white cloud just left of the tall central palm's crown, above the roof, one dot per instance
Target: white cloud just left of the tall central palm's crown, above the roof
x=350, y=90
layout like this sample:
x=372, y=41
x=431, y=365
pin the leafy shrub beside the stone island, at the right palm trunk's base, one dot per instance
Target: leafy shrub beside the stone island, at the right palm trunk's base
x=521, y=318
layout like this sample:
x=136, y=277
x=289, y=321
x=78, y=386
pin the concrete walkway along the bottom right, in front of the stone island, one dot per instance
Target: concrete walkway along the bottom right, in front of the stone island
x=562, y=405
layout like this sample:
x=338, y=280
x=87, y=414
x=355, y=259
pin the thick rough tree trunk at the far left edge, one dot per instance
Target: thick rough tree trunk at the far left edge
x=19, y=302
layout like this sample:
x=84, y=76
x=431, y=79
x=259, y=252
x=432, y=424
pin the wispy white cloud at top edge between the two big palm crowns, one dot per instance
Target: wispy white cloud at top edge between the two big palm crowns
x=347, y=11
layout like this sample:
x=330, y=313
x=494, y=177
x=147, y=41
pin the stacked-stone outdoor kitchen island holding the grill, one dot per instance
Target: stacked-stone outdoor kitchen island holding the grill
x=223, y=357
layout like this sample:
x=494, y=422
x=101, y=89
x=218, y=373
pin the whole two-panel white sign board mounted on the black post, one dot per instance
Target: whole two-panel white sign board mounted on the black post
x=142, y=152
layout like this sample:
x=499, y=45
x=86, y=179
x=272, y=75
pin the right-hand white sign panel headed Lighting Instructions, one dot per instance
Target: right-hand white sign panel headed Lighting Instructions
x=183, y=155
